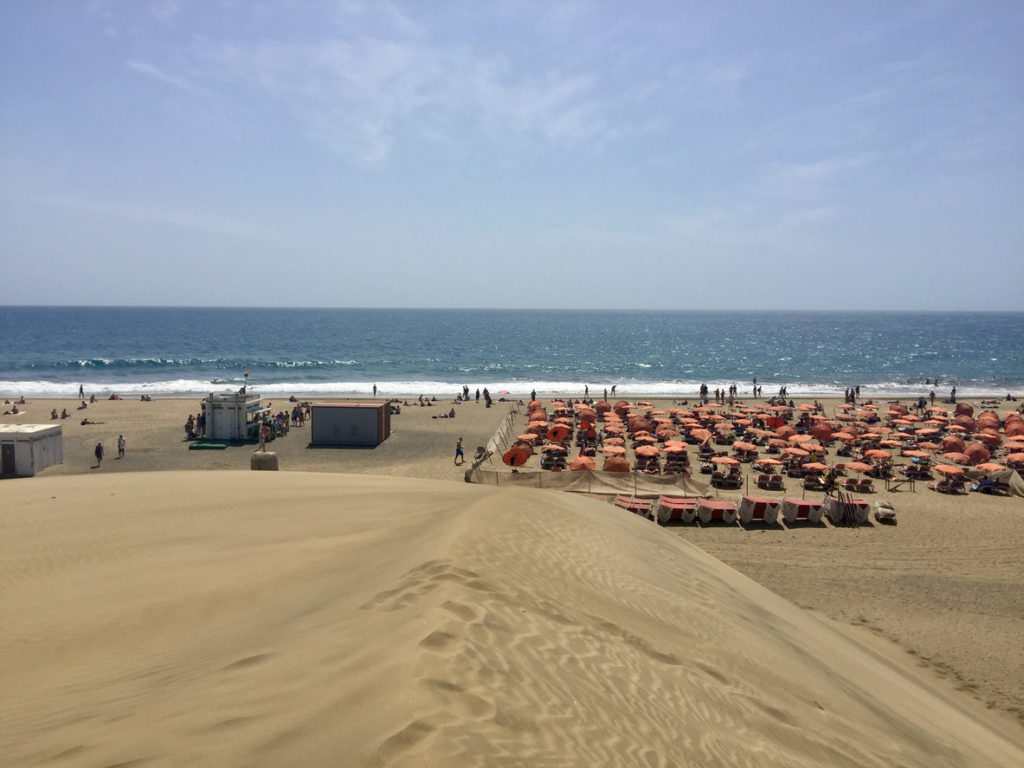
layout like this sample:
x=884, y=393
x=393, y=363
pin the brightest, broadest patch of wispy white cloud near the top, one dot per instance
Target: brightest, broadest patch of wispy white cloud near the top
x=359, y=96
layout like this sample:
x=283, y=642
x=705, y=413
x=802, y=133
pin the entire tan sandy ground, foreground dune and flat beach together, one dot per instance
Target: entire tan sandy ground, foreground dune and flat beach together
x=418, y=620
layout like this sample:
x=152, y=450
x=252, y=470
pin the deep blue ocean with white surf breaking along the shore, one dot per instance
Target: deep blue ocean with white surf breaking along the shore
x=51, y=352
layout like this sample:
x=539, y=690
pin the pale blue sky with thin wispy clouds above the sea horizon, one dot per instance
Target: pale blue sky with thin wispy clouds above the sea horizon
x=581, y=155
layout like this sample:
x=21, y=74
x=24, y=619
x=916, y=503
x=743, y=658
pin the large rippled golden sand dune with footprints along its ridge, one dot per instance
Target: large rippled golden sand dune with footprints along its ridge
x=309, y=619
